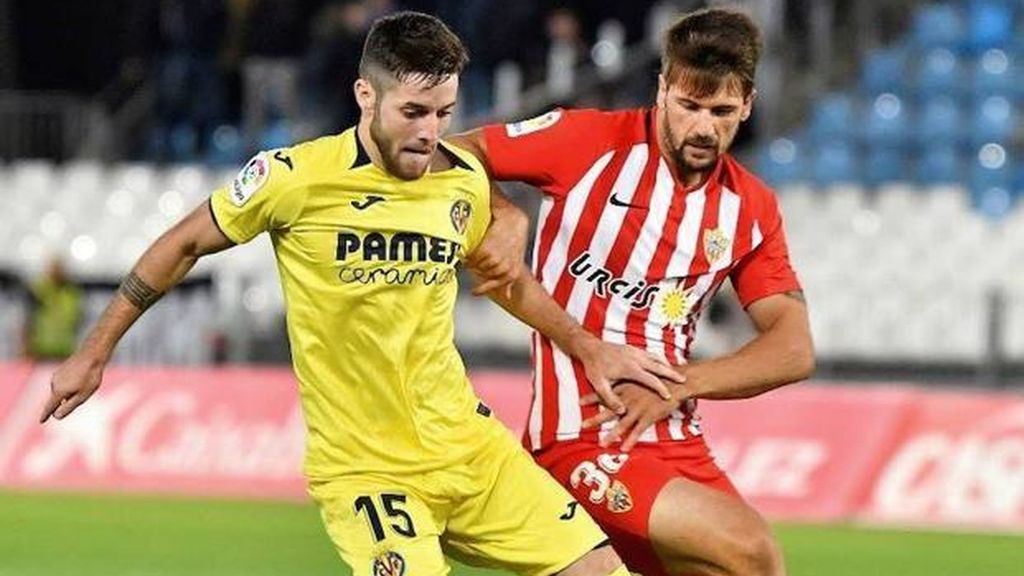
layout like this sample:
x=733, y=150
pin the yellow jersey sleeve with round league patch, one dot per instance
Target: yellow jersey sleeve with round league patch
x=262, y=198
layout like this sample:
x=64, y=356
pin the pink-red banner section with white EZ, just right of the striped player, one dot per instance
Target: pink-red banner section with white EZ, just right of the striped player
x=805, y=452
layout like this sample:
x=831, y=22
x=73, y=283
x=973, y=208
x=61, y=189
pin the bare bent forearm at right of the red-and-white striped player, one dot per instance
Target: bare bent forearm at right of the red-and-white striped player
x=780, y=356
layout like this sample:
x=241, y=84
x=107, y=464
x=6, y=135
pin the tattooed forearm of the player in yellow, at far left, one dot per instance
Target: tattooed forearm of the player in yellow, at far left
x=160, y=269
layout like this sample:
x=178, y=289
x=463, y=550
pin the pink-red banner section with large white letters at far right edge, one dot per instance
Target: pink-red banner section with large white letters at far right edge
x=959, y=462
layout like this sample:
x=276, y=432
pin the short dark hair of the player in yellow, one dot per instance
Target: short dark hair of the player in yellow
x=411, y=46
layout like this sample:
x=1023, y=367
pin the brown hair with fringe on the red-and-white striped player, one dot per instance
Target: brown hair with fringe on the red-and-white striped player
x=711, y=47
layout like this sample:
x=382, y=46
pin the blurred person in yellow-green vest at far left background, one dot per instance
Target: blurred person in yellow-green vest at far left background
x=55, y=315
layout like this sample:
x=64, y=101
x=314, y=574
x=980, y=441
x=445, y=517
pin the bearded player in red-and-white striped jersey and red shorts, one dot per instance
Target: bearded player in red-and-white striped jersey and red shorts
x=645, y=217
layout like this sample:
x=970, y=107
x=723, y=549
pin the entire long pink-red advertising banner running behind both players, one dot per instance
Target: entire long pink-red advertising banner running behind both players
x=889, y=455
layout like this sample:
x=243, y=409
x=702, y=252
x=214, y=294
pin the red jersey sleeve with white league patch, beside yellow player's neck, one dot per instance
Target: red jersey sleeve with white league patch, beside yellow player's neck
x=551, y=152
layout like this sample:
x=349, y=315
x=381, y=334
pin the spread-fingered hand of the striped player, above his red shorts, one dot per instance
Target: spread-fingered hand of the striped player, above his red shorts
x=644, y=409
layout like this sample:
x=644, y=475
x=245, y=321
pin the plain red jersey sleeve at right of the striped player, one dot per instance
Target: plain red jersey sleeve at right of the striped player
x=766, y=270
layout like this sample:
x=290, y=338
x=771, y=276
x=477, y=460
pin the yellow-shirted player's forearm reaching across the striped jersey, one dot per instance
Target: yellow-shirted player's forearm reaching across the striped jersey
x=533, y=306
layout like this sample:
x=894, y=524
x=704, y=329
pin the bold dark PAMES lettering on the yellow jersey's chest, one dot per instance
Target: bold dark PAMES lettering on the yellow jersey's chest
x=403, y=246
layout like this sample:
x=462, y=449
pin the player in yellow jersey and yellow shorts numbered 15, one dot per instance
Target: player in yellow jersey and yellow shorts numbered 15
x=368, y=228
